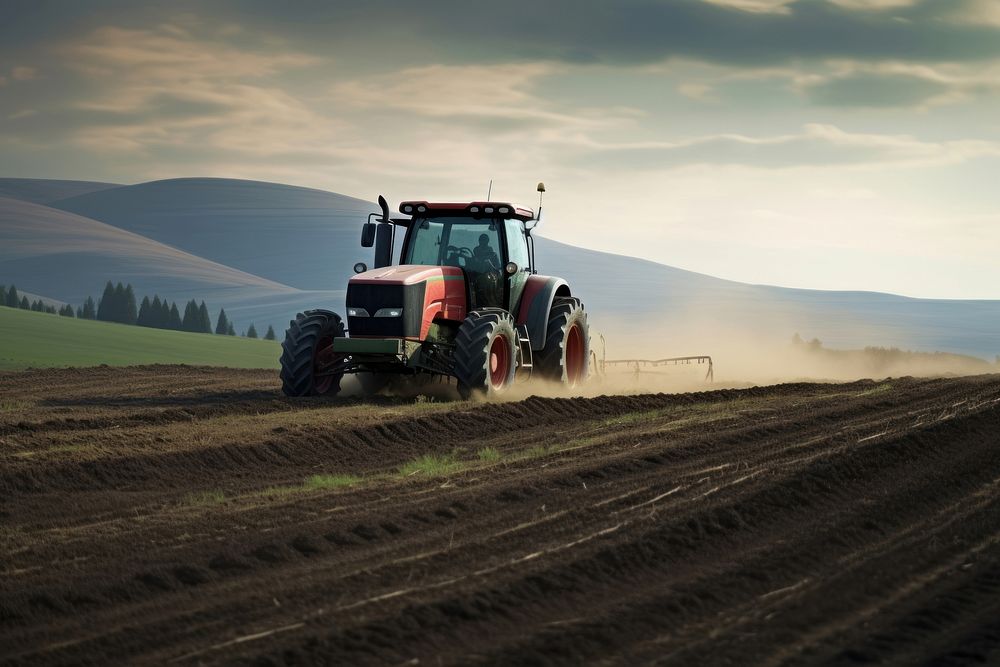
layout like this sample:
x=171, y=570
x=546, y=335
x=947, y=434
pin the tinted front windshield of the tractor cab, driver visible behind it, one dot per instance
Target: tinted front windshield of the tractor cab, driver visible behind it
x=466, y=242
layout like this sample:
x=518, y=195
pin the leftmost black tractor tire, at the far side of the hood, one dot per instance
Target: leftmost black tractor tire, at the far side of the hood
x=308, y=362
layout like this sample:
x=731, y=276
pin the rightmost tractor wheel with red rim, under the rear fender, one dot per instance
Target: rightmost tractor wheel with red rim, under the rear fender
x=566, y=355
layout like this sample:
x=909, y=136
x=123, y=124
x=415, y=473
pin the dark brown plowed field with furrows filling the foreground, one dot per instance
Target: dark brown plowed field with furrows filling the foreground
x=177, y=515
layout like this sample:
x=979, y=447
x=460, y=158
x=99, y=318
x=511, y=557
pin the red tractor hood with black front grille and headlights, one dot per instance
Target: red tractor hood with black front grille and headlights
x=403, y=301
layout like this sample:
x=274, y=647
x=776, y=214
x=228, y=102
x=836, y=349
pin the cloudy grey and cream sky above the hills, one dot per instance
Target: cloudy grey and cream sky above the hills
x=826, y=144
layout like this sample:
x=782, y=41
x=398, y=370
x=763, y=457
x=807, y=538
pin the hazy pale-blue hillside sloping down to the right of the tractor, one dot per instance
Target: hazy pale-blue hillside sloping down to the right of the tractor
x=655, y=310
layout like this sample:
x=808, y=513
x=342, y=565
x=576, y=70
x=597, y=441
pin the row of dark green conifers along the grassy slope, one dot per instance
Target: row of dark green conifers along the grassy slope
x=118, y=304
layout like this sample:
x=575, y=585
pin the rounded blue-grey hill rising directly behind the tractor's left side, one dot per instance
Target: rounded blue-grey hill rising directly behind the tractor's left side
x=297, y=236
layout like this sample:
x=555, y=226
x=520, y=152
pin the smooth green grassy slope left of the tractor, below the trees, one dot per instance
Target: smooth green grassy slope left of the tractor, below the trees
x=42, y=340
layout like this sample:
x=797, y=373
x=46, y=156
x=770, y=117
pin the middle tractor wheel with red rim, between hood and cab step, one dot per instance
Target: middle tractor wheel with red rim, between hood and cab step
x=485, y=353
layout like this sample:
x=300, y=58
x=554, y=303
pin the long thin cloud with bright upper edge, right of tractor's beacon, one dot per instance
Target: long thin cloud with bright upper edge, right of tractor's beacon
x=816, y=146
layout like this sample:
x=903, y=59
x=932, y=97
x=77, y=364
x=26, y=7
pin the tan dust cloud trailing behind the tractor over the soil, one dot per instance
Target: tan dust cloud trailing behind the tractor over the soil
x=743, y=354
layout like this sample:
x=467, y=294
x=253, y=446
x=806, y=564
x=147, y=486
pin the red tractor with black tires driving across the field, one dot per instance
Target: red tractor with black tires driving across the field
x=464, y=302
